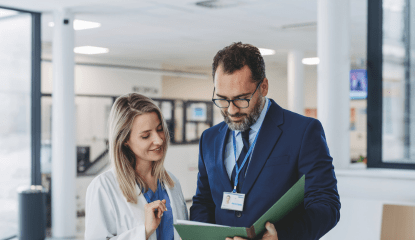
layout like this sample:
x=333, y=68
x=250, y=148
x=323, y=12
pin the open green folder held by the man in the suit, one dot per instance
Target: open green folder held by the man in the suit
x=290, y=200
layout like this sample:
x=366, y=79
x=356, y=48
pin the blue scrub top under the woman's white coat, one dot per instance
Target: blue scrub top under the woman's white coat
x=165, y=230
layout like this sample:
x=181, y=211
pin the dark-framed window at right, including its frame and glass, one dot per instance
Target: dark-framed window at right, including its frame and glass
x=391, y=87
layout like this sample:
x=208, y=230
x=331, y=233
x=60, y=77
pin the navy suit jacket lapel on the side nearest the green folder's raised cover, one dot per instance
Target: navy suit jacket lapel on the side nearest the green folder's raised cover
x=268, y=137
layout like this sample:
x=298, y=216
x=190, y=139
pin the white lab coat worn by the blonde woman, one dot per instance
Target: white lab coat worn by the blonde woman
x=108, y=215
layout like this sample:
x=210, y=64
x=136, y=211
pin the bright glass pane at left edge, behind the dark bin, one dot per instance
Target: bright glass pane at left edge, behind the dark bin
x=15, y=117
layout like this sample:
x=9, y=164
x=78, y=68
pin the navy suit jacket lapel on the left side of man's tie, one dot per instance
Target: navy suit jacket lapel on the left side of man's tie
x=220, y=143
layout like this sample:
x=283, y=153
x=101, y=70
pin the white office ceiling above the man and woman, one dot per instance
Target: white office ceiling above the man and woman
x=182, y=35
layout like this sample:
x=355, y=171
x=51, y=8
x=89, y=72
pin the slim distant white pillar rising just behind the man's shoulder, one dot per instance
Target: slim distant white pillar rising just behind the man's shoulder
x=295, y=75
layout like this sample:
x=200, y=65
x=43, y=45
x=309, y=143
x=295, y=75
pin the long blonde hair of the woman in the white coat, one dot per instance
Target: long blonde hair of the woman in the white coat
x=122, y=115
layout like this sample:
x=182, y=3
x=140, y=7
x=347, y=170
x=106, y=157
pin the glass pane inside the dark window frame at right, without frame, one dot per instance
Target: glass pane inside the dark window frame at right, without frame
x=398, y=127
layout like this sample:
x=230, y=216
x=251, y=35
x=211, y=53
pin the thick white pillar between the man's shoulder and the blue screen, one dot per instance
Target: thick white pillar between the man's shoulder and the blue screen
x=333, y=104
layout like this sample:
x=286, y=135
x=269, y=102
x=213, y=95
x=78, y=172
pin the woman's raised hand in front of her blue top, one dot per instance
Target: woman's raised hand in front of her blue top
x=152, y=218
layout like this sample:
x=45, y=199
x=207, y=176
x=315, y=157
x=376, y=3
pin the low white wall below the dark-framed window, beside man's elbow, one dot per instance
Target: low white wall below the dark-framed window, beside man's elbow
x=363, y=194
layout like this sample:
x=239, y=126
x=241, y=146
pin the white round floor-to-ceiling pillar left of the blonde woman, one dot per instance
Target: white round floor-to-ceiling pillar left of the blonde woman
x=63, y=128
